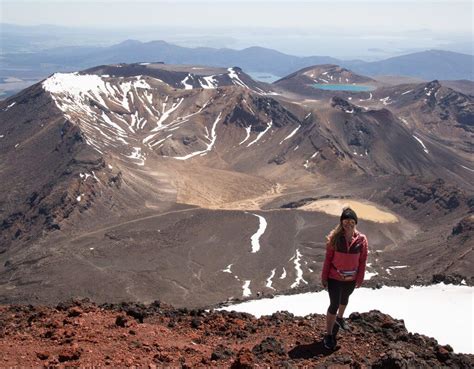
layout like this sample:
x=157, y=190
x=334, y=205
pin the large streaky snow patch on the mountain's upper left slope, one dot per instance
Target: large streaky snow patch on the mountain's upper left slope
x=111, y=125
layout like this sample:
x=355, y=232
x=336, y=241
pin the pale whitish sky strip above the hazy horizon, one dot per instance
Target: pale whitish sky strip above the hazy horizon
x=436, y=16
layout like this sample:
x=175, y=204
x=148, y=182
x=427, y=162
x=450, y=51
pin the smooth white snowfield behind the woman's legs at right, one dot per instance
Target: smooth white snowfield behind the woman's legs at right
x=444, y=312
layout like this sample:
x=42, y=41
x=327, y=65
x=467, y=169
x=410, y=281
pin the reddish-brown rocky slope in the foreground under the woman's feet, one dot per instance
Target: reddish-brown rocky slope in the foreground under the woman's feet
x=80, y=333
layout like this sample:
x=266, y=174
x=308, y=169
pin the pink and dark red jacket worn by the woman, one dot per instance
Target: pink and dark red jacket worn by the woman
x=351, y=260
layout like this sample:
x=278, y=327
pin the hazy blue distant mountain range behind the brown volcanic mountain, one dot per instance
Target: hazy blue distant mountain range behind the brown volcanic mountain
x=254, y=59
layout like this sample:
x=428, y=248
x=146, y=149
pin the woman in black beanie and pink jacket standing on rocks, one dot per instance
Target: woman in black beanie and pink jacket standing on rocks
x=343, y=270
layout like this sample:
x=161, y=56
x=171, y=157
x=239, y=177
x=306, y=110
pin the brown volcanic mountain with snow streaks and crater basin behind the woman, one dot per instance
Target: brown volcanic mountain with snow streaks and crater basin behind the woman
x=195, y=184
